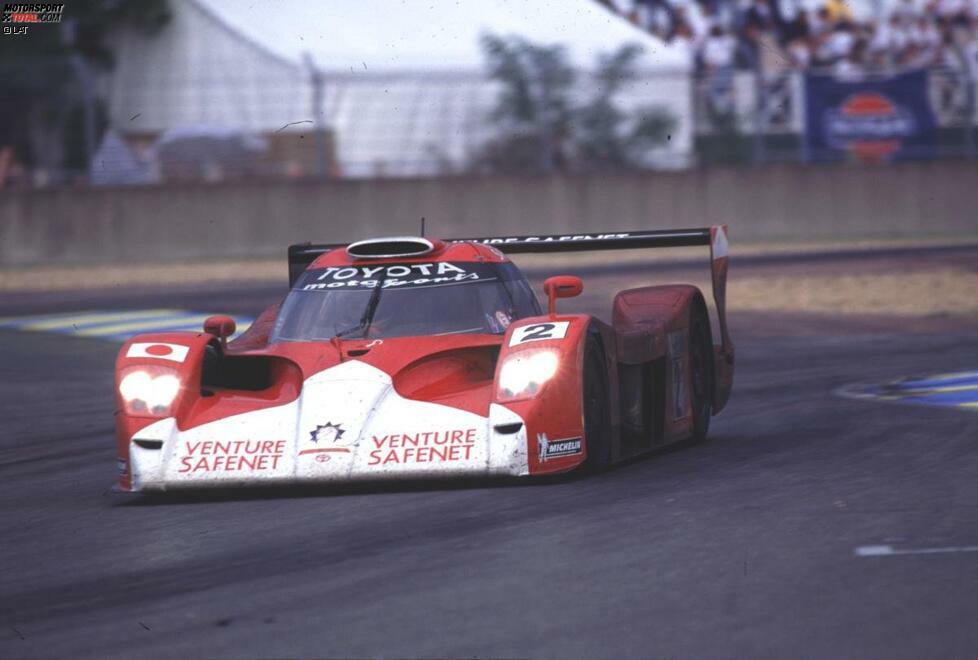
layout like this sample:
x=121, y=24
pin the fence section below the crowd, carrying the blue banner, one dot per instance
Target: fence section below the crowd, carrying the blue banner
x=750, y=117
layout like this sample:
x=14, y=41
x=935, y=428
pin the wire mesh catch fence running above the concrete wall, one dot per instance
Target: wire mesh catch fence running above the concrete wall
x=426, y=125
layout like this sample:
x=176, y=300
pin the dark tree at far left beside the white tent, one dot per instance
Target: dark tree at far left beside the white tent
x=46, y=80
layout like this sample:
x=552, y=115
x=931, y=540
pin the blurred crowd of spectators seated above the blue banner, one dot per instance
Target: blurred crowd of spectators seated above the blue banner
x=779, y=35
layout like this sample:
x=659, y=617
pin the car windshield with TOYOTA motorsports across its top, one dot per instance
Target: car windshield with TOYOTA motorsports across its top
x=403, y=300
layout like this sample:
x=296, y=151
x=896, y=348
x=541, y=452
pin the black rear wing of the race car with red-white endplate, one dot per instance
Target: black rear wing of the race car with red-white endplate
x=300, y=256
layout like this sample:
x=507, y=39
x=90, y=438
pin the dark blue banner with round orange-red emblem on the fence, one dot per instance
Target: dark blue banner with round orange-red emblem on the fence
x=875, y=119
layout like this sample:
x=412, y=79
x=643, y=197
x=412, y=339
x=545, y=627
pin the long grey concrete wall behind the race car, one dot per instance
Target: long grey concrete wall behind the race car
x=260, y=218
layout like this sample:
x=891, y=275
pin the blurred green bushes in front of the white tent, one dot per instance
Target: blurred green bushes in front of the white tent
x=542, y=130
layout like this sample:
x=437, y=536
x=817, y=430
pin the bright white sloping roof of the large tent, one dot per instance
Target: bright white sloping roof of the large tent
x=401, y=35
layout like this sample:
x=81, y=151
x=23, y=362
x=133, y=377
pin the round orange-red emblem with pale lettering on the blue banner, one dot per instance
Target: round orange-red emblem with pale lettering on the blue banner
x=869, y=125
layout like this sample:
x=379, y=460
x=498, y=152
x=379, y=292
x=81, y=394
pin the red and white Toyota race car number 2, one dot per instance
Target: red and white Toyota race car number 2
x=414, y=357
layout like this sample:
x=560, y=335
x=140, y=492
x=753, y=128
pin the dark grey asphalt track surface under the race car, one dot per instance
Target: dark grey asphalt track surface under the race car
x=758, y=543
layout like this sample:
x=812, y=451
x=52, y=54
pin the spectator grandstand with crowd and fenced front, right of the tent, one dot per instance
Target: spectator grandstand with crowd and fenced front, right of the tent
x=754, y=62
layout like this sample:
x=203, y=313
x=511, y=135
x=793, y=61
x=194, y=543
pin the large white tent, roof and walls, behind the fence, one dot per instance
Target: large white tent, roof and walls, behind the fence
x=405, y=90
